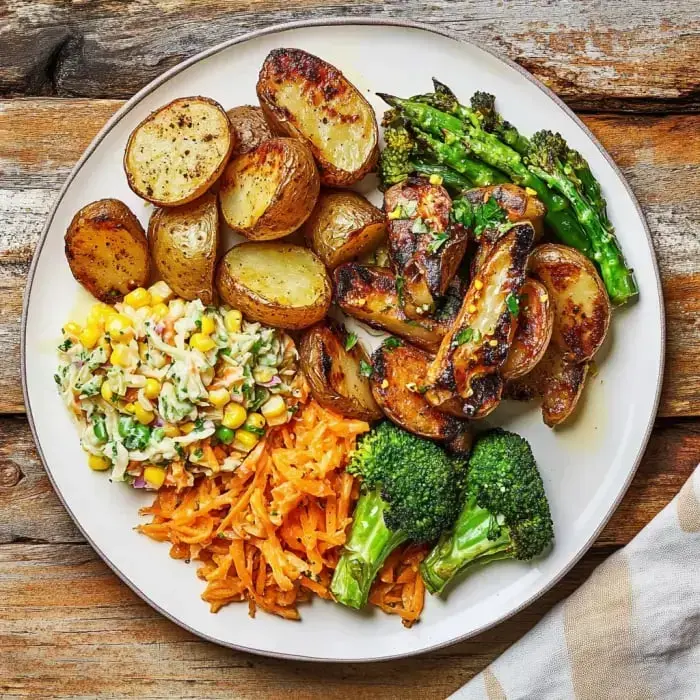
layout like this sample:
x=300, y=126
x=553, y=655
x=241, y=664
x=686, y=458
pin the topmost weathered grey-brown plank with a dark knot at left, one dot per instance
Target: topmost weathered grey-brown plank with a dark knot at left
x=596, y=55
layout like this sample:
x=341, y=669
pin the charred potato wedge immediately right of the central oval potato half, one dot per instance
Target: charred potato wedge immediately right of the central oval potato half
x=369, y=294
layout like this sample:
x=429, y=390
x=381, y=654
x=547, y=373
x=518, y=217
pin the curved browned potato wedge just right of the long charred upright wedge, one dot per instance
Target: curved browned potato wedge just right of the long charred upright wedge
x=533, y=333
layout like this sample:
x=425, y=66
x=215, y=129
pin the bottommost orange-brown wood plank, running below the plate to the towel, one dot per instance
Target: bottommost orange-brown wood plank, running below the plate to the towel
x=70, y=628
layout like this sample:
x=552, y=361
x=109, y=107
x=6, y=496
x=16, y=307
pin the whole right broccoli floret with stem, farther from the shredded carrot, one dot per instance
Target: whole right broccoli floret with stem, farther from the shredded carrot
x=505, y=515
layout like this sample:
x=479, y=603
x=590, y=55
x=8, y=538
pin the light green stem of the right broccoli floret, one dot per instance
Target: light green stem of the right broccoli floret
x=467, y=545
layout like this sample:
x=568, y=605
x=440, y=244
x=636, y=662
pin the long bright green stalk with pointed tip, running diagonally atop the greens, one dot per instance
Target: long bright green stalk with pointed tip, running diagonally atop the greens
x=489, y=149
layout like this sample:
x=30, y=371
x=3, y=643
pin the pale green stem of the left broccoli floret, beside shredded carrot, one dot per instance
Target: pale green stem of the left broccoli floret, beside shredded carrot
x=366, y=550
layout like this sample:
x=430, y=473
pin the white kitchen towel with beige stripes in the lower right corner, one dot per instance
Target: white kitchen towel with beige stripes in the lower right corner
x=631, y=632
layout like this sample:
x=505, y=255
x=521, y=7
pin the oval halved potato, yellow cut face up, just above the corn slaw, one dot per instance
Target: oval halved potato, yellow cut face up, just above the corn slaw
x=283, y=285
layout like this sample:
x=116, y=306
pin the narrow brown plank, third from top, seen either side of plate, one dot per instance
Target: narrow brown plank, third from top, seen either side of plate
x=32, y=512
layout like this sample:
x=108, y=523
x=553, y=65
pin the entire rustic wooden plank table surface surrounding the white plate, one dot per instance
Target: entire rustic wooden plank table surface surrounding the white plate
x=68, y=626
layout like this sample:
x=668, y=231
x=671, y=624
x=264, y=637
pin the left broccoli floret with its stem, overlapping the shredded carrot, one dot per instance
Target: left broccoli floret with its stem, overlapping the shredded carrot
x=410, y=491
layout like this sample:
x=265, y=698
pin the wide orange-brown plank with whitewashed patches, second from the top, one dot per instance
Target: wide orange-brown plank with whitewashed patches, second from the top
x=659, y=155
